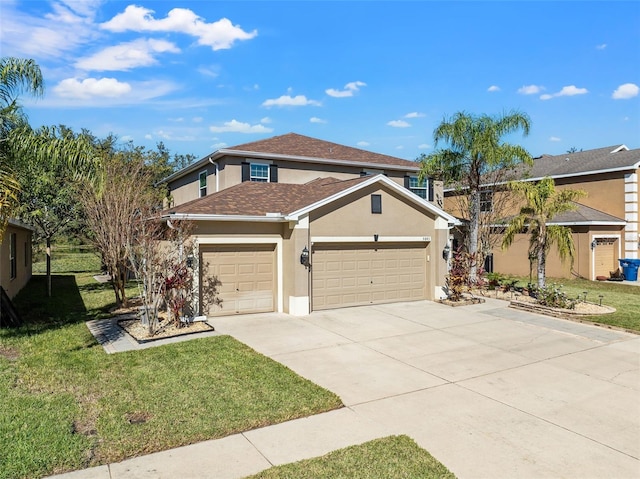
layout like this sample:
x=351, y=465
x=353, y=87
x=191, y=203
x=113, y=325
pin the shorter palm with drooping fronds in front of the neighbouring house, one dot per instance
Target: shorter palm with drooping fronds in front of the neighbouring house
x=542, y=202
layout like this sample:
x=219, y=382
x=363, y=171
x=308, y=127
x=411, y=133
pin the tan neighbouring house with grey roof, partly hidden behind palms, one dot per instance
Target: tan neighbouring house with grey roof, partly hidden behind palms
x=604, y=223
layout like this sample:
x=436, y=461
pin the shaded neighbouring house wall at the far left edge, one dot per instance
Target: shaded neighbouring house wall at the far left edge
x=15, y=257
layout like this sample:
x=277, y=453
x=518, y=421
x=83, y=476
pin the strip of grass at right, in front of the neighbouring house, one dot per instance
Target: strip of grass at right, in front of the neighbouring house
x=624, y=298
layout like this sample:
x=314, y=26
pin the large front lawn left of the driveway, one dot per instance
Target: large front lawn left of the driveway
x=67, y=405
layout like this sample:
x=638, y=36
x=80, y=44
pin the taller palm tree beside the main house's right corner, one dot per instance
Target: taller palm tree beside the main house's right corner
x=475, y=151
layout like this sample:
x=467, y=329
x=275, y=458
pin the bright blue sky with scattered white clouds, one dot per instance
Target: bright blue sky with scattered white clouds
x=378, y=75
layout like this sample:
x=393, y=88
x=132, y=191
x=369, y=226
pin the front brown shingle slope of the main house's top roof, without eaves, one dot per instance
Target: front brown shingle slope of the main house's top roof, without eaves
x=293, y=144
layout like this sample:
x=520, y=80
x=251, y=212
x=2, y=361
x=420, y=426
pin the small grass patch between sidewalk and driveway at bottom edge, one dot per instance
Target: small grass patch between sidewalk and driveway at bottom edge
x=395, y=456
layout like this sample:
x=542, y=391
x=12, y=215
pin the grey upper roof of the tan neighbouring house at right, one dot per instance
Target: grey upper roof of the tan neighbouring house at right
x=600, y=160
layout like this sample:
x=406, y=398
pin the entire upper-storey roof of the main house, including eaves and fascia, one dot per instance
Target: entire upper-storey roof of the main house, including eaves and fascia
x=295, y=147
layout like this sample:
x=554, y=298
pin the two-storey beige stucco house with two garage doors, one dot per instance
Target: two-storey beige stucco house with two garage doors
x=295, y=224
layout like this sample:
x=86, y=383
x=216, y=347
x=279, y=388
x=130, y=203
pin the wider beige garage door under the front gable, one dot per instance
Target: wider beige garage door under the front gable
x=352, y=275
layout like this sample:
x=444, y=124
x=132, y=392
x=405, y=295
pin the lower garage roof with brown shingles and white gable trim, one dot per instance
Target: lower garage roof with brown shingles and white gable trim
x=255, y=201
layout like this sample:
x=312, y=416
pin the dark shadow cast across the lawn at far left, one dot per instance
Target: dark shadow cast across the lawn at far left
x=40, y=313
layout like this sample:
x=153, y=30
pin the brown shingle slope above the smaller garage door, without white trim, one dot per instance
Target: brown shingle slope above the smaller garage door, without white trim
x=257, y=199
